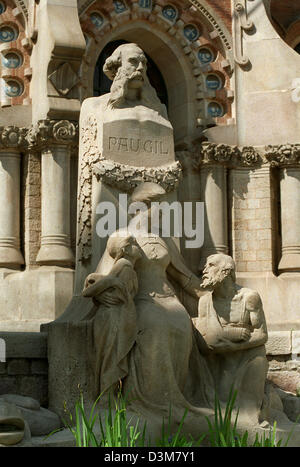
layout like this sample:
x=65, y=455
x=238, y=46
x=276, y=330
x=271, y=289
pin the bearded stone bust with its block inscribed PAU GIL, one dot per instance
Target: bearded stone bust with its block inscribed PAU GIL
x=133, y=124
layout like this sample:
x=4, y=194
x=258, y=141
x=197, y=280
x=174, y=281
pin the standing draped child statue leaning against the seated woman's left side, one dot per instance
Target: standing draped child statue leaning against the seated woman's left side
x=114, y=323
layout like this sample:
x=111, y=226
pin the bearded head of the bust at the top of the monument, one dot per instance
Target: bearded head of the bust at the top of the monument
x=127, y=67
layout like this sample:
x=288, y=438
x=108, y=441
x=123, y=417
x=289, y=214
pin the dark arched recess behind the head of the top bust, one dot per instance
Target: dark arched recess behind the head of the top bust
x=102, y=84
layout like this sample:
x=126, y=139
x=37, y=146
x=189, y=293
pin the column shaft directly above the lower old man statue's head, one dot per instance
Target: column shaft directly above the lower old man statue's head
x=214, y=195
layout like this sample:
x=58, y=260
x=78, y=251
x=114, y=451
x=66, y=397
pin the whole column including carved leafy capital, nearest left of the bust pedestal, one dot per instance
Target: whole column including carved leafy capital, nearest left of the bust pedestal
x=55, y=139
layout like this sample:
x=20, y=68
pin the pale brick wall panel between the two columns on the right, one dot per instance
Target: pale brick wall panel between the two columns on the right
x=253, y=219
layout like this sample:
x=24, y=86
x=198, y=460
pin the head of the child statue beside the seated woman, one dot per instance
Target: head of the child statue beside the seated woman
x=122, y=243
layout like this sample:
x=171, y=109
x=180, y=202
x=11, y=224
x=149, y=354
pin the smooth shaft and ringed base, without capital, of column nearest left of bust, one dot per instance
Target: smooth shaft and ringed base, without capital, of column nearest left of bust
x=55, y=239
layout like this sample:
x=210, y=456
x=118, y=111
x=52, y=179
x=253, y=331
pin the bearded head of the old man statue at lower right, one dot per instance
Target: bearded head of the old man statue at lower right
x=217, y=269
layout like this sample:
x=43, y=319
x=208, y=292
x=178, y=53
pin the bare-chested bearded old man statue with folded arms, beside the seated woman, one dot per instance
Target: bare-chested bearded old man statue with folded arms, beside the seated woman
x=232, y=322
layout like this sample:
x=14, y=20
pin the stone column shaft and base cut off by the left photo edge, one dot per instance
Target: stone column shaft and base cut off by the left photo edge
x=10, y=255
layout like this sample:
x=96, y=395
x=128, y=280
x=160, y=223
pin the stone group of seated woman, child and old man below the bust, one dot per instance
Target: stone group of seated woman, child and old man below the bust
x=146, y=342
